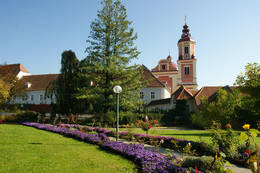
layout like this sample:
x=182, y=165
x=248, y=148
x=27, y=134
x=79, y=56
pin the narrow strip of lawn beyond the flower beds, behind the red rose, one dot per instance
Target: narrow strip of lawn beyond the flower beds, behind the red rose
x=193, y=135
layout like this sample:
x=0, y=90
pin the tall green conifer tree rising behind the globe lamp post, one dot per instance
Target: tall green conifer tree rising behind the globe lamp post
x=110, y=51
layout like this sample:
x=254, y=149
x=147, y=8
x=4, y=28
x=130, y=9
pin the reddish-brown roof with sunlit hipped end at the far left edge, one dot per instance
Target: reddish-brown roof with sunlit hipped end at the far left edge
x=12, y=69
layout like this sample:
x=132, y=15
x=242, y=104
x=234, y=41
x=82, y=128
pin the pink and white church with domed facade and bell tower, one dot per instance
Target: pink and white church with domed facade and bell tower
x=184, y=72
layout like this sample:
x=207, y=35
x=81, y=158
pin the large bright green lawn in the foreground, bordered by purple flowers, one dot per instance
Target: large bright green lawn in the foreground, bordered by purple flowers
x=28, y=150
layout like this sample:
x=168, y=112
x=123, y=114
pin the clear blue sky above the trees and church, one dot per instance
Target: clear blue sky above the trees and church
x=36, y=32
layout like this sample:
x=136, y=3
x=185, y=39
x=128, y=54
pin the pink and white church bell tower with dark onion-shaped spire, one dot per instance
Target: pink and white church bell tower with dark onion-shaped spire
x=186, y=60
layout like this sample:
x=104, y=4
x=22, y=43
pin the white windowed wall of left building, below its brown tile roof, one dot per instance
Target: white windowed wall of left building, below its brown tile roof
x=33, y=97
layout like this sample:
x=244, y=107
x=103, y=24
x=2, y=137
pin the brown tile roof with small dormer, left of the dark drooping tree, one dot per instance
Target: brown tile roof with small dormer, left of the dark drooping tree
x=39, y=82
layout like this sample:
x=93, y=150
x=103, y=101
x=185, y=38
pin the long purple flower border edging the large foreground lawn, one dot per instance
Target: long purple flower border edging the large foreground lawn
x=149, y=161
